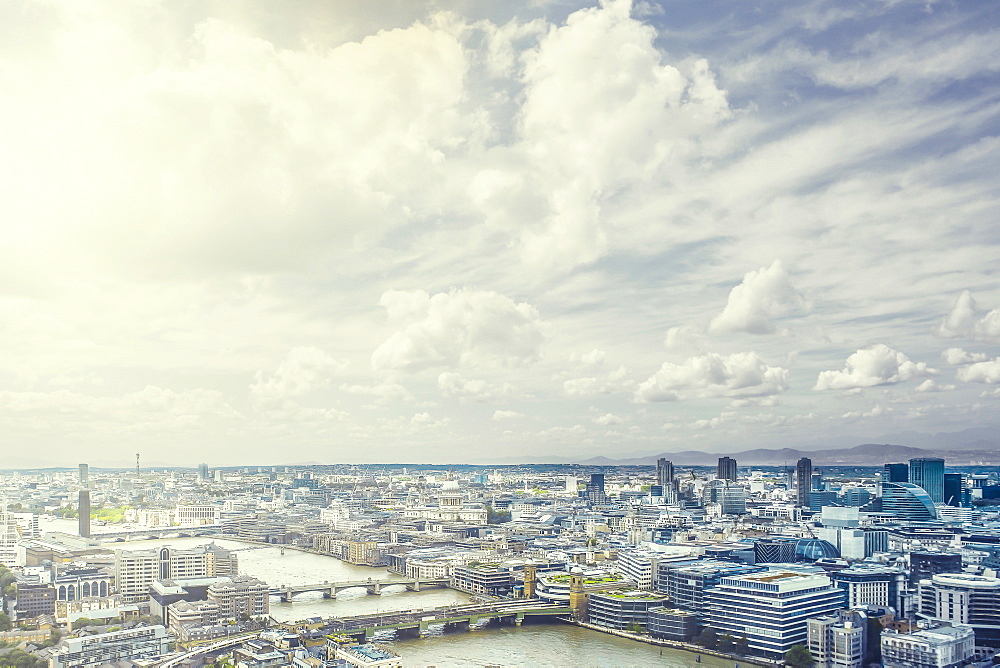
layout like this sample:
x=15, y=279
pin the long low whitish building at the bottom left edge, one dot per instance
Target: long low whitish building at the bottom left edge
x=145, y=642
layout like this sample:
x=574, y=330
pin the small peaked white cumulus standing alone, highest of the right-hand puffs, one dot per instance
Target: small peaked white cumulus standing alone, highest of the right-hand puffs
x=763, y=295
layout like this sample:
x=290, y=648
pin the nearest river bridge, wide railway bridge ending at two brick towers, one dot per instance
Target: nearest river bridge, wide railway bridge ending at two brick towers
x=416, y=622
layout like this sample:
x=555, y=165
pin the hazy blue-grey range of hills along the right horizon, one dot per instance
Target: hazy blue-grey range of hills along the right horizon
x=868, y=454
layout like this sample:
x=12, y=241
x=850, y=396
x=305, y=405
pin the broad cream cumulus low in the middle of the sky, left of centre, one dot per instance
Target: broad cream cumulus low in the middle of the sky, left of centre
x=462, y=328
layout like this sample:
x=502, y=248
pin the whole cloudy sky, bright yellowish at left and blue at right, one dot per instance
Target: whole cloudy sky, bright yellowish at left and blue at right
x=247, y=232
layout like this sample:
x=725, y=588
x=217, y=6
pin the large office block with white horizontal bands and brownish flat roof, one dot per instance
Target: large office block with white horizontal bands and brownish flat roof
x=771, y=609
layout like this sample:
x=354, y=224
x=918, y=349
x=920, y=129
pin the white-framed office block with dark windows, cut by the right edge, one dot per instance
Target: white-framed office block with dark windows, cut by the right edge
x=960, y=598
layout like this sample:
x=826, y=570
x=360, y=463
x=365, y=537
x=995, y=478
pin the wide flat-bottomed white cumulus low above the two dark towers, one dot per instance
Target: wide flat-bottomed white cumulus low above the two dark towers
x=712, y=375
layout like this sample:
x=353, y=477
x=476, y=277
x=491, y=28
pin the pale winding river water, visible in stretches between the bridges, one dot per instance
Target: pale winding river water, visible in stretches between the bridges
x=527, y=645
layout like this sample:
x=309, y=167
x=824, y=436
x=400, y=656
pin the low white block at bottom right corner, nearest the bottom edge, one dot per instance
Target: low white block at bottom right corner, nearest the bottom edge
x=940, y=647
